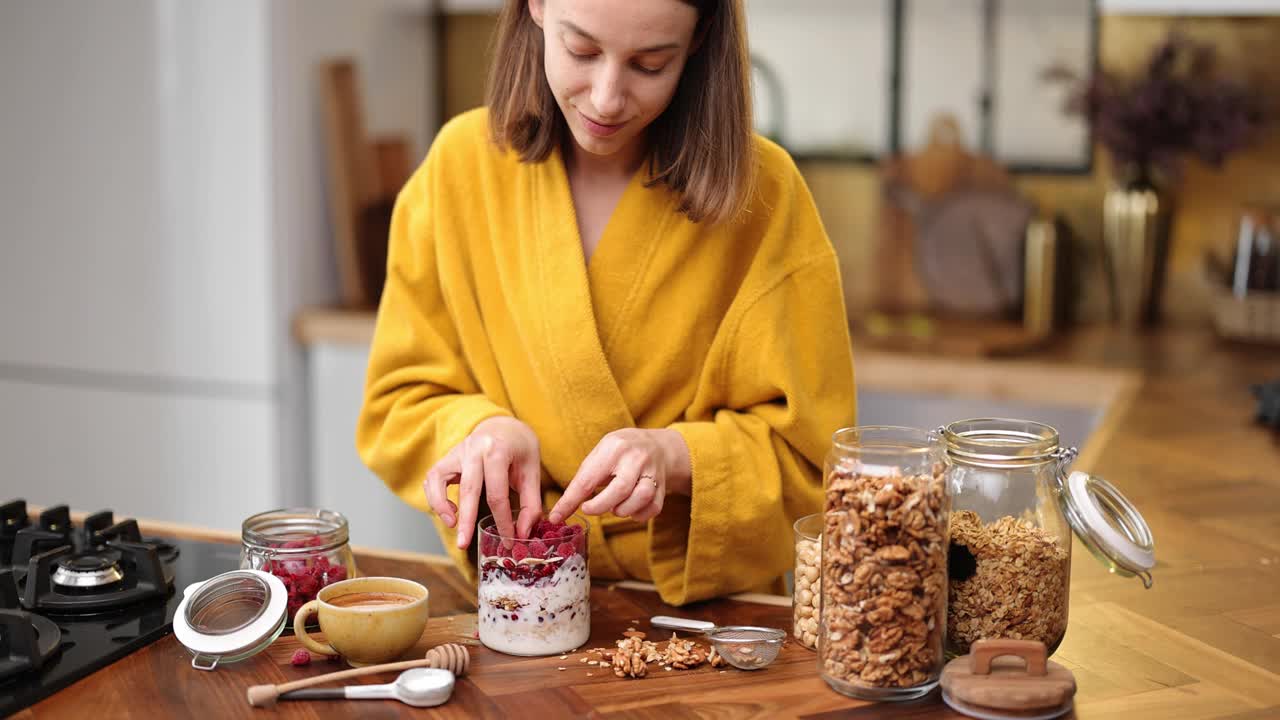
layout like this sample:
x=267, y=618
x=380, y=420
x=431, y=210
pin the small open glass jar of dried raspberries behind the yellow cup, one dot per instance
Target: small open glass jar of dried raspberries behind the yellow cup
x=307, y=549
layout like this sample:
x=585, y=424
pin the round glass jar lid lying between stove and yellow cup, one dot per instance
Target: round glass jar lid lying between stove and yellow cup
x=231, y=617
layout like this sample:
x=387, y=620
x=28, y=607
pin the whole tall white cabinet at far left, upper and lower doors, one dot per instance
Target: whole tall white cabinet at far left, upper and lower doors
x=136, y=366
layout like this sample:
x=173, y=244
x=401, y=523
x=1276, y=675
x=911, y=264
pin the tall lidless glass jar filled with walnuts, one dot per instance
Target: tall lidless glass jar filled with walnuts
x=884, y=563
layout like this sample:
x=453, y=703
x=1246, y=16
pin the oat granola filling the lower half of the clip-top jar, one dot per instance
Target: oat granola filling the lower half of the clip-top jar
x=1020, y=584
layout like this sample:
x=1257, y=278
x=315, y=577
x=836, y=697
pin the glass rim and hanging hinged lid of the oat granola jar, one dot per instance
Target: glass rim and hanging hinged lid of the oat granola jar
x=1104, y=520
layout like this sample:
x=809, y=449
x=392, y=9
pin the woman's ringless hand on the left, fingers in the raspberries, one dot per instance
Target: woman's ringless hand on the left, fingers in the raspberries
x=499, y=455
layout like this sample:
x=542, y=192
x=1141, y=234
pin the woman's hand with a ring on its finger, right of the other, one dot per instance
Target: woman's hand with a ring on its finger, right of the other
x=637, y=468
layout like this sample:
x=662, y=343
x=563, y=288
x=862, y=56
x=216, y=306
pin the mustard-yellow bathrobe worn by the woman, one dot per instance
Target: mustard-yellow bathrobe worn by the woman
x=735, y=336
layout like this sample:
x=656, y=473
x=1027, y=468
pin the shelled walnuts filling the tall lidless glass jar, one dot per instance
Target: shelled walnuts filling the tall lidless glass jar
x=884, y=578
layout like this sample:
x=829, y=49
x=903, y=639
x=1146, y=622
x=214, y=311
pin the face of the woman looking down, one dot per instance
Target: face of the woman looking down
x=614, y=65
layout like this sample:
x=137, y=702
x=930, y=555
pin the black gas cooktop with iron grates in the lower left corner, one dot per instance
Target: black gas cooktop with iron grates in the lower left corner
x=53, y=635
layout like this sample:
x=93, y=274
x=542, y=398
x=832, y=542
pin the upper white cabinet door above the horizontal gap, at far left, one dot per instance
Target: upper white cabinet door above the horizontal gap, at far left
x=129, y=135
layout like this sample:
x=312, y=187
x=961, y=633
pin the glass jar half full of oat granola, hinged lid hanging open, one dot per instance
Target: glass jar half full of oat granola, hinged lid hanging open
x=1014, y=509
